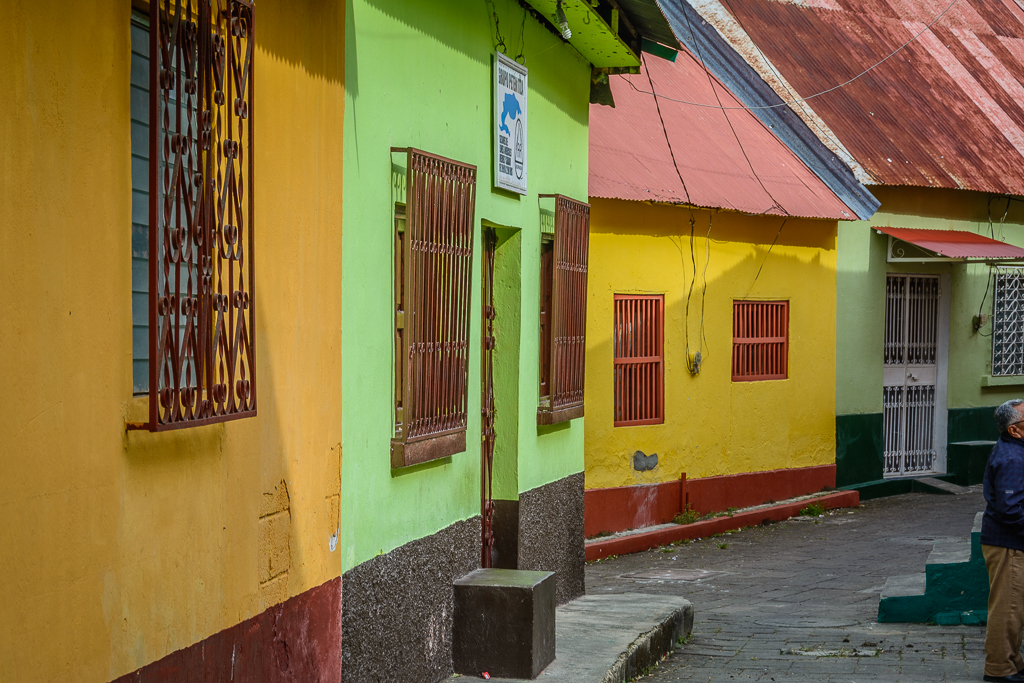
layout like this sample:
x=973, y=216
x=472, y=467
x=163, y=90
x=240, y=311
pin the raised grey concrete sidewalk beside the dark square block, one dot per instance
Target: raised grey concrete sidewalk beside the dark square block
x=613, y=638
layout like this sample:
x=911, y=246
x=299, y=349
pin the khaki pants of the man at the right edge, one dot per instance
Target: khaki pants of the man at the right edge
x=1006, y=611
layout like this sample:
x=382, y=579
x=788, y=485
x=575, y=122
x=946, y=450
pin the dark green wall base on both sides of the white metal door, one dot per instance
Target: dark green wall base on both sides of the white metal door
x=860, y=450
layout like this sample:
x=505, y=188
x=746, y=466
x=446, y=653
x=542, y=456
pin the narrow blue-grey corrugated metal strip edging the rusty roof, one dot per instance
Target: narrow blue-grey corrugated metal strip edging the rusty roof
x=747, y=84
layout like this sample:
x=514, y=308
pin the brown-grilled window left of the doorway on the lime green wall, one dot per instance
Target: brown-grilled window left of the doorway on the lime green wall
x=434, y=252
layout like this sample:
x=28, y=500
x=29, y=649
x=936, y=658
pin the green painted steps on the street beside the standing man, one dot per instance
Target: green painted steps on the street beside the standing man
x=954, y=588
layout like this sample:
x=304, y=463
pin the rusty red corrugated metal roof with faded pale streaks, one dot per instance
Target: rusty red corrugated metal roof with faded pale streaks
x=948, y=111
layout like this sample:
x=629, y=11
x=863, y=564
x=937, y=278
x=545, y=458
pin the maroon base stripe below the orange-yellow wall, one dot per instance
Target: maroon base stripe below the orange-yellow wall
x=298, y=641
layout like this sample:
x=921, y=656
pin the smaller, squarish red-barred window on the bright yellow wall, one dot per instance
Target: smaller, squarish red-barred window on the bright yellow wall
x=760, y=340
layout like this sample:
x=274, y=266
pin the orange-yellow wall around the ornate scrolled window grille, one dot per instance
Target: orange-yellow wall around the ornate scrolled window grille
x=119, y=548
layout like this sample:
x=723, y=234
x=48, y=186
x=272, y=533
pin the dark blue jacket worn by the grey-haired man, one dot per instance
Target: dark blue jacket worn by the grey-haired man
x=1004, y=522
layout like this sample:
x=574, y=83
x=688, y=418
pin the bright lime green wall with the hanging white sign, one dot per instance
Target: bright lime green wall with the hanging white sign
x=419, y=74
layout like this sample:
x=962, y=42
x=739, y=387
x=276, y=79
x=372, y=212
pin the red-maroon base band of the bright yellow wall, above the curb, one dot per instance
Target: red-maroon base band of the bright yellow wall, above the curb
x=636, y=507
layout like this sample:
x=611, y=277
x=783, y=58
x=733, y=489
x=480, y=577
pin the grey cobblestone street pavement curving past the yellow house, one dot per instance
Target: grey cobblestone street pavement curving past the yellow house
x=798, y=601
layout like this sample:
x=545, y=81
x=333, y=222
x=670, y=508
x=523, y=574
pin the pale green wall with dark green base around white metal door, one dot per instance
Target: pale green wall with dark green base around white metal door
x=861, y=320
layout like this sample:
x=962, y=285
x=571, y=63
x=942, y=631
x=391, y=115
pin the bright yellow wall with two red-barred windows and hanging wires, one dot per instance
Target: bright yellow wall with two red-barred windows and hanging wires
x=712, y=425
